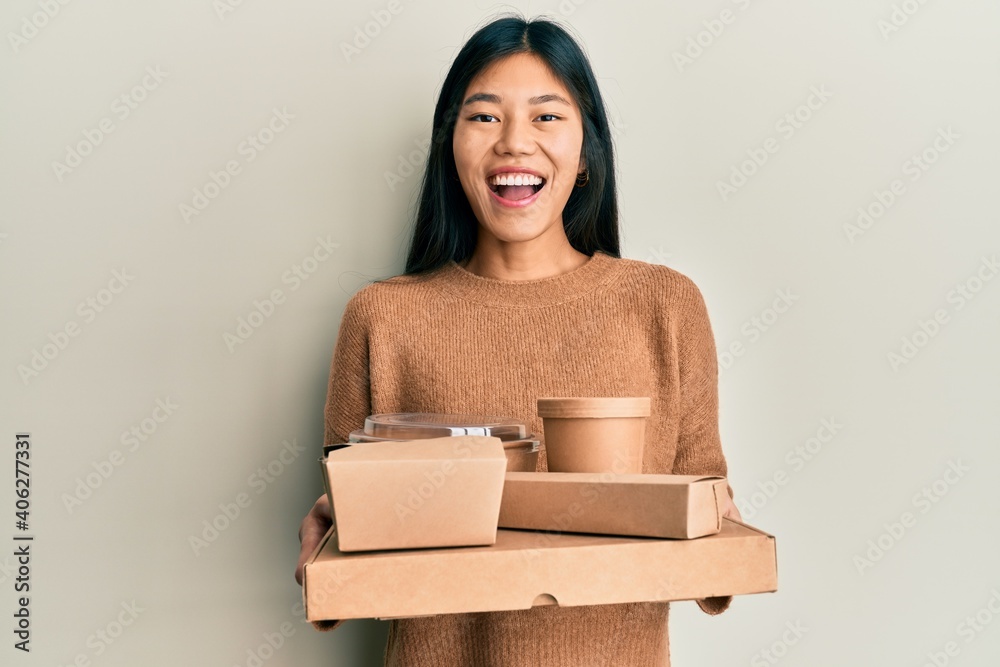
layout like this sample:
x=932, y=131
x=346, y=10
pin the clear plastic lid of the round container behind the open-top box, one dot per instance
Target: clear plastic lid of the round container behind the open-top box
x=417, y=425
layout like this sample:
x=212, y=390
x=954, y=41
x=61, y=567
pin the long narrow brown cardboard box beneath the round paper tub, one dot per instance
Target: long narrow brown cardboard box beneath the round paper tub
x=672, y=506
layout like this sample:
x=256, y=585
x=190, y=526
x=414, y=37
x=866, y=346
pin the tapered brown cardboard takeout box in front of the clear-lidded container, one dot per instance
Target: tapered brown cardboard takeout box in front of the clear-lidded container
x=438, y=492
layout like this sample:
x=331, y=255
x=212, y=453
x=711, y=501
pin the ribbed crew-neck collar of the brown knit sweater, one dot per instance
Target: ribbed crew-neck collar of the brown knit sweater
x=592, y=276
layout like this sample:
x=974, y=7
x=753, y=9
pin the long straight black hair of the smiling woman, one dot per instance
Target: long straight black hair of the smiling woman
x=446, y=227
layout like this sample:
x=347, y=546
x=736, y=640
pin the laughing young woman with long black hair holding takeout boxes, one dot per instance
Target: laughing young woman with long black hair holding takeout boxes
x=515, y=289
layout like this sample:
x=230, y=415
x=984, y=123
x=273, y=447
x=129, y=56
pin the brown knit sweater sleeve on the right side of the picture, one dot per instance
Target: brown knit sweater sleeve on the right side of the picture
x=699, y=448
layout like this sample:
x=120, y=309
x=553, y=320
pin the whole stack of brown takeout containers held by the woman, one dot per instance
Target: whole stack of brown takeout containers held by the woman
x=591, y=530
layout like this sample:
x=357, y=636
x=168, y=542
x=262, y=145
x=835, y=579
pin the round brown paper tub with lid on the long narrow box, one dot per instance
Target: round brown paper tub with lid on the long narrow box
x=594, y=434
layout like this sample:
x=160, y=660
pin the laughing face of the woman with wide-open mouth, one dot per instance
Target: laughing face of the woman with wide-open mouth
x=518, y=121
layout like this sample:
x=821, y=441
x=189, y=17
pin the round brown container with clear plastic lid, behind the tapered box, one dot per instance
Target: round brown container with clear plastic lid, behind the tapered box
x=520, y=447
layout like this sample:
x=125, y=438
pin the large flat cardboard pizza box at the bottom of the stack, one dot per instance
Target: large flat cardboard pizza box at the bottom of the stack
x=524, y=569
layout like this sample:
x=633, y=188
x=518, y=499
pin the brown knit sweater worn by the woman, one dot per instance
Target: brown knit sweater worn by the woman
x=455, y=342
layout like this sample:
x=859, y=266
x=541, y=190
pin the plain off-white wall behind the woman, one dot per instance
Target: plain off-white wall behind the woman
x=894, y=74
